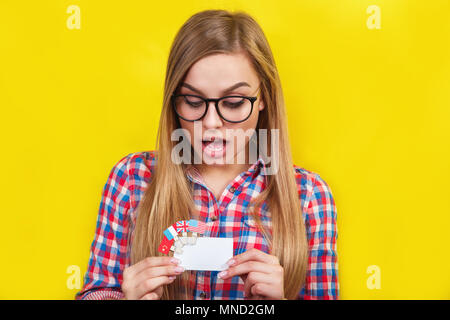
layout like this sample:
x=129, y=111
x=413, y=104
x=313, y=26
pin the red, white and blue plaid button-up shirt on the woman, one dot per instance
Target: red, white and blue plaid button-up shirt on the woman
x=226, y=217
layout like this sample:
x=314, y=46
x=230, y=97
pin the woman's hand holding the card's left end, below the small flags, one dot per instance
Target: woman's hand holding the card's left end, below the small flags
x=145, y=279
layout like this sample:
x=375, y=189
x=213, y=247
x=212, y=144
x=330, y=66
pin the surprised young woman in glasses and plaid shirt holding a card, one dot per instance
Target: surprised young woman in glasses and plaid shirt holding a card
x=282, y=221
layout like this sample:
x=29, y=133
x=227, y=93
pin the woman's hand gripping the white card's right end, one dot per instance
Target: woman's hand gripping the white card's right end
x=261, y=272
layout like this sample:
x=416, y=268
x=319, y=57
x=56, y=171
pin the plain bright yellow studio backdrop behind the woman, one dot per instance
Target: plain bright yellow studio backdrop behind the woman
x=367, y=88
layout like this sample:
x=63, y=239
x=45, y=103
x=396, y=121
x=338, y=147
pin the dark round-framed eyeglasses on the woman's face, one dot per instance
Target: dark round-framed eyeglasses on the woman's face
x=233, y=109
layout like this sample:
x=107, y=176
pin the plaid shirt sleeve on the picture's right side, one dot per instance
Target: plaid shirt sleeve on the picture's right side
x=321, y=227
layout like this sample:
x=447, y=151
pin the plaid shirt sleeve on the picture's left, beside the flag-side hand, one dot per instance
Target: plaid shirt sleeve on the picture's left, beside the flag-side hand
x=108, y=251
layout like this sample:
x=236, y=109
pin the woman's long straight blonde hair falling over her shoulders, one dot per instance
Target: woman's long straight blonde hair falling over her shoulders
x=168, y=197
